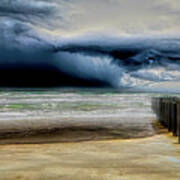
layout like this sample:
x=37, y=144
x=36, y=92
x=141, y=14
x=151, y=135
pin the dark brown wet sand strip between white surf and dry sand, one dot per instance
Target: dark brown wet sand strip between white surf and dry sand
x=85, y=130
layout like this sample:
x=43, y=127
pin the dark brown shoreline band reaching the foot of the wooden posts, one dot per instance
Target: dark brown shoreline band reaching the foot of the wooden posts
x=80, y=133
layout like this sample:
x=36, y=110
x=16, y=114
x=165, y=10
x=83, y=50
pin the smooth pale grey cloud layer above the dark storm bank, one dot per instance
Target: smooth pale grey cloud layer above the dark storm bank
x=118, y=16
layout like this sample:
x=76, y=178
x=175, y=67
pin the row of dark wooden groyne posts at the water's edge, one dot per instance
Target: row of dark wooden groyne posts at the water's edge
x=168, y=113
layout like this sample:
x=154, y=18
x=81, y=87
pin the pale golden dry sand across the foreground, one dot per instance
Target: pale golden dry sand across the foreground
x=152, y=158
